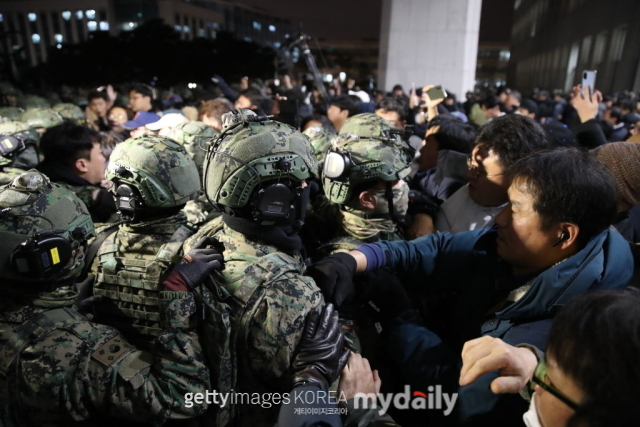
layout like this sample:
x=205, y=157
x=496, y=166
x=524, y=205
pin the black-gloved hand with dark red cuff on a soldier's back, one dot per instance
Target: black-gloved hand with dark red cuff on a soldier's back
x=195, y=266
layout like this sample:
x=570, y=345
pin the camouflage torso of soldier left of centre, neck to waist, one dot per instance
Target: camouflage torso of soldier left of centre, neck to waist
x=129, y=267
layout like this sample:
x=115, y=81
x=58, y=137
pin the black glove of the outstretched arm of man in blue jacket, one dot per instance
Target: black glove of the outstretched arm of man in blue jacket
x=334, y=277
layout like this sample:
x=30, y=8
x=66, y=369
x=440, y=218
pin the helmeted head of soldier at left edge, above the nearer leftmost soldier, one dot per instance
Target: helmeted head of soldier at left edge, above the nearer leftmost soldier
x=18, y=150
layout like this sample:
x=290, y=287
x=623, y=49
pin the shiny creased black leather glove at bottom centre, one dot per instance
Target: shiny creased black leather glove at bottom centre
x=321, y=355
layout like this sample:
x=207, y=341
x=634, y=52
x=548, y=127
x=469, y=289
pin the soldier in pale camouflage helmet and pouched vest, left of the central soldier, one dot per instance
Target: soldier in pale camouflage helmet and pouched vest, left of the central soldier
x=153, y=177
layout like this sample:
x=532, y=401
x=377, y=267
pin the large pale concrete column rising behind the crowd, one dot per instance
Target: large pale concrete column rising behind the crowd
x=429, y=42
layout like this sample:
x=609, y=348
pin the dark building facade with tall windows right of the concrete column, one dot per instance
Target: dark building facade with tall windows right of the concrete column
x=554, y=41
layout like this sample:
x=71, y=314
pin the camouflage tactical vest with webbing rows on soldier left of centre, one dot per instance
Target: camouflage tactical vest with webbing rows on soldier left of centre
x=130, y=287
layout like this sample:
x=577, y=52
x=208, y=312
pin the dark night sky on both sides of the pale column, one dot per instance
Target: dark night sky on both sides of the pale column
x=360, y=19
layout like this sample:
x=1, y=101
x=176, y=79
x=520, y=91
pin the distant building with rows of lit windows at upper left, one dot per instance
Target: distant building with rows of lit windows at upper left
x=28, y=28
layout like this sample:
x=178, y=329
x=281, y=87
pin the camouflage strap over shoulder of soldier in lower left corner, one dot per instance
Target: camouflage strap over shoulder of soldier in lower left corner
x=32, y=329
